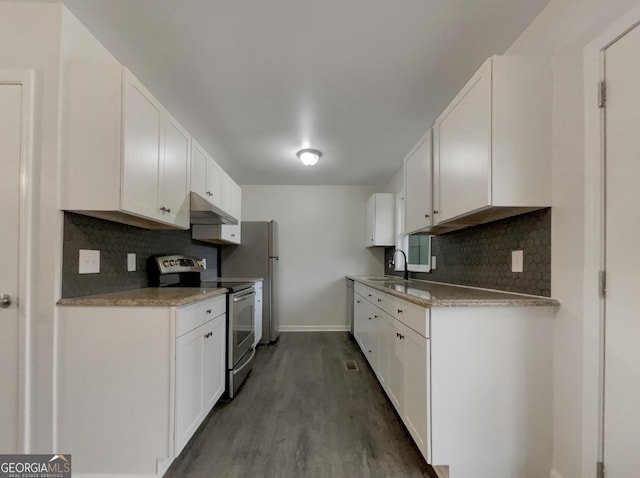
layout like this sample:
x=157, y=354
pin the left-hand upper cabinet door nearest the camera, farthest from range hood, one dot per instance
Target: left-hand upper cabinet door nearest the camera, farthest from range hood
x=142, y=125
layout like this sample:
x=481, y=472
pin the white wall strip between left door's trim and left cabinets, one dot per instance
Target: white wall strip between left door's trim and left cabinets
x=30, y=39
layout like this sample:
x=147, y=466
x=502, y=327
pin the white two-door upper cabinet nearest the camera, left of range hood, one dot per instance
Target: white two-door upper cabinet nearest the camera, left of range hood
x=124, y=158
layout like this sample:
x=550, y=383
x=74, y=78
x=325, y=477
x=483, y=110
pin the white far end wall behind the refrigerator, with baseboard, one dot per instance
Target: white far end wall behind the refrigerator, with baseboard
x=322, y=236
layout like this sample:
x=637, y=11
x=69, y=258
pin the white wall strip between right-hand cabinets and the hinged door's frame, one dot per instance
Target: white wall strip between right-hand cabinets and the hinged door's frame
x=561, y=32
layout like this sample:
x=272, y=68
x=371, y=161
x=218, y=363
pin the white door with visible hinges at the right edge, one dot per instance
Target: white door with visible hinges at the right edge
x=622, y=303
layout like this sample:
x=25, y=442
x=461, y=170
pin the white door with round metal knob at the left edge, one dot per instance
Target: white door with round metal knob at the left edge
x=10, y=151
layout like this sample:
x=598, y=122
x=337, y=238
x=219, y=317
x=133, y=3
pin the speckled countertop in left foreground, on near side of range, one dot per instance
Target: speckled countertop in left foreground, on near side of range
x=147, y=297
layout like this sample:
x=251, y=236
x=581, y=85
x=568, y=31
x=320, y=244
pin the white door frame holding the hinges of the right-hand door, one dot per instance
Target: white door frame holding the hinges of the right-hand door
x=594, y=245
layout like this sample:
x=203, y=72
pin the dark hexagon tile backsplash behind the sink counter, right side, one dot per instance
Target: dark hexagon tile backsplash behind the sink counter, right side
x=480, y=256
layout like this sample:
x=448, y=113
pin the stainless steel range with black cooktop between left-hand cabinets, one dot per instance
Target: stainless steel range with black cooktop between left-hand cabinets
x=184, y=271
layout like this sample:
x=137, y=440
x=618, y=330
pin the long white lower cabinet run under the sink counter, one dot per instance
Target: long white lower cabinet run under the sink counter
x=471, y=384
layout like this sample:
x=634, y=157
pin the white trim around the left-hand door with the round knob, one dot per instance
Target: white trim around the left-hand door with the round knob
x=26, y=79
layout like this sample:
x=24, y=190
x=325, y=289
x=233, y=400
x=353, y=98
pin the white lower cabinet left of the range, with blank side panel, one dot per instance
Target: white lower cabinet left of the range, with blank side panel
x=135, y=383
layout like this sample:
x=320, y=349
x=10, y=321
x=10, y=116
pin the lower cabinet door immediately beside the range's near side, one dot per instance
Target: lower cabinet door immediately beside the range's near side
x=214, y=361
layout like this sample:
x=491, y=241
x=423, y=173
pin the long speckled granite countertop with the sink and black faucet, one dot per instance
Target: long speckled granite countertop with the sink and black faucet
x=436, y=294
